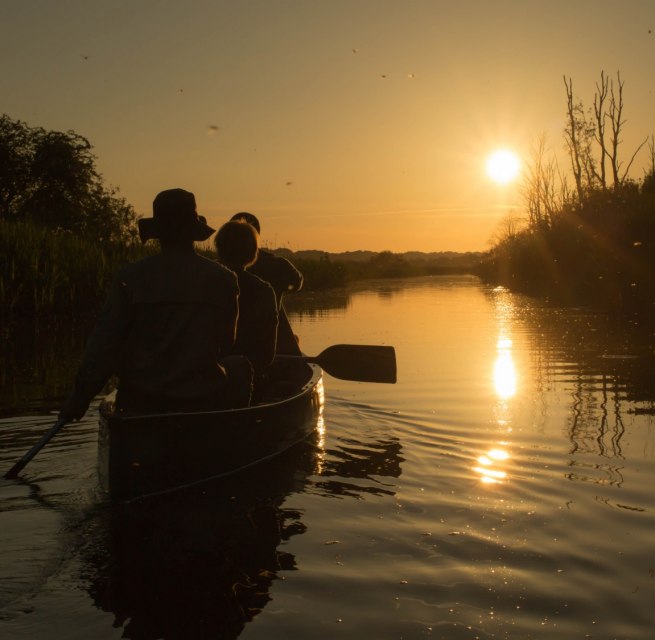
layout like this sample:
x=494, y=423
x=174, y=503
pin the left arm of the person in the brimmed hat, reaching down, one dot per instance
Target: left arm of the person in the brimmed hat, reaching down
x=102, y=352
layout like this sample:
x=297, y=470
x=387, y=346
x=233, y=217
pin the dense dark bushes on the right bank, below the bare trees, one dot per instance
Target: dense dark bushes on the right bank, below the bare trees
x=599, y=252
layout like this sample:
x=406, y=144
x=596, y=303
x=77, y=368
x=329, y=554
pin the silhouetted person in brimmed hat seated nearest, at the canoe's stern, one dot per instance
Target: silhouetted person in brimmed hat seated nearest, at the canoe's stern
x=168, y=321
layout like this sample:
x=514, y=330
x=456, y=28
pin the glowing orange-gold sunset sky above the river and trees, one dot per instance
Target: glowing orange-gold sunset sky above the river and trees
x=344, y=125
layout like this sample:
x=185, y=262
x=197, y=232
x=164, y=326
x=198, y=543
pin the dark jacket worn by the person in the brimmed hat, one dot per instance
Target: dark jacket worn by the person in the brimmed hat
x=167, y=321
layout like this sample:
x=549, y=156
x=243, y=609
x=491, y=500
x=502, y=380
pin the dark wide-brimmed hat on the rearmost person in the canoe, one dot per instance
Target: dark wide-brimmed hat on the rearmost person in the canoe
x=174, y=215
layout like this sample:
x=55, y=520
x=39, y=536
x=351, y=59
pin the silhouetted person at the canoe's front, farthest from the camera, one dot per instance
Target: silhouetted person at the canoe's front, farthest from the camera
x=281, y=274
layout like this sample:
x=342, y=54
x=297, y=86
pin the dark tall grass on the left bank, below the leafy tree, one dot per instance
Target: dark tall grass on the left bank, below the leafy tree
x=45, y=273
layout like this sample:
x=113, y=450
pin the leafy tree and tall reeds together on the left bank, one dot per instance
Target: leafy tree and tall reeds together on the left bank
x=63, y=233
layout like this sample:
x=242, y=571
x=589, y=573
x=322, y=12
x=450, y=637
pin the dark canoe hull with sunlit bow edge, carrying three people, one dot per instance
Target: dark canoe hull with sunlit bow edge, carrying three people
x=141, y=455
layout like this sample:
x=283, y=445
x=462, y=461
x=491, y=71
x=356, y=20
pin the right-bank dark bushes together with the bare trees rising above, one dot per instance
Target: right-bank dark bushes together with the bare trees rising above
x=588, y=239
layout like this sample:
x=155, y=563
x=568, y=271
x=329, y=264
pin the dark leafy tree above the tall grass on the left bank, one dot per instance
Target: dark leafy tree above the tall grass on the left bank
x=50, y=178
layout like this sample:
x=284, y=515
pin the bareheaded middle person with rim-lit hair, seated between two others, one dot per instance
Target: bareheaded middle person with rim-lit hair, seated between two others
x=237, y=245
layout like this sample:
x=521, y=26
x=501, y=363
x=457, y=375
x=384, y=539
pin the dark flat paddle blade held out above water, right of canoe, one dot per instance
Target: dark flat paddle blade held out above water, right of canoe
x=360, y=362
